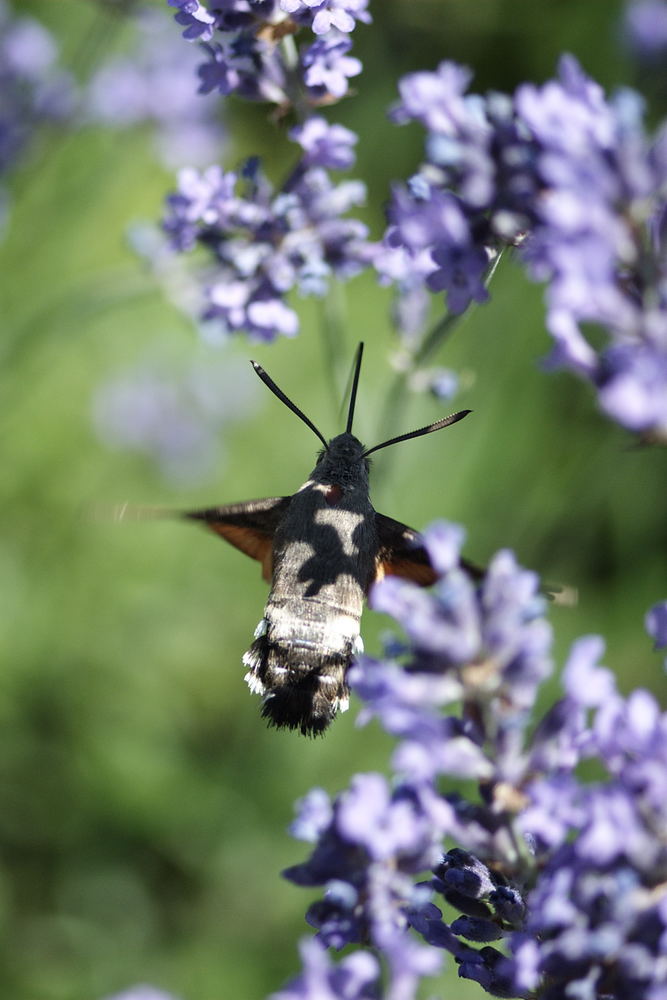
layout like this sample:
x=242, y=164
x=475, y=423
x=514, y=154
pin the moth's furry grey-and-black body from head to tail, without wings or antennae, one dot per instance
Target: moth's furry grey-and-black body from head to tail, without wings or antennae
x=324, y=560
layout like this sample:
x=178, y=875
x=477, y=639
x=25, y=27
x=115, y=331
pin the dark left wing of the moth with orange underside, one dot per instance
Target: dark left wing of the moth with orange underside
x=248, y=526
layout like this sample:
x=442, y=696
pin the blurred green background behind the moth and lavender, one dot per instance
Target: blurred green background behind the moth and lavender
x=143, y=804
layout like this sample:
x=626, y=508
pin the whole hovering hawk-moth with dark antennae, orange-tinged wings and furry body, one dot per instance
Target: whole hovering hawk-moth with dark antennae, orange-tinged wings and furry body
x=320, y=549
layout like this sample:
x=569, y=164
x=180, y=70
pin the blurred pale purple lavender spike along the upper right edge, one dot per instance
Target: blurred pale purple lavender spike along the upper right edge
x=600, y=173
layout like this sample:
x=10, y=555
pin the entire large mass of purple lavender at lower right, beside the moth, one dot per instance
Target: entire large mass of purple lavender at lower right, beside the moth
x=567, y=874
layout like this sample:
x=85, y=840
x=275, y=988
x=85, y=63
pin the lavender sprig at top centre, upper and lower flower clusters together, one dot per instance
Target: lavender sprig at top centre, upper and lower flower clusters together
x=265, y=242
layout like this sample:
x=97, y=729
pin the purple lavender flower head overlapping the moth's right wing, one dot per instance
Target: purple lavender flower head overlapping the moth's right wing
x=484, y=642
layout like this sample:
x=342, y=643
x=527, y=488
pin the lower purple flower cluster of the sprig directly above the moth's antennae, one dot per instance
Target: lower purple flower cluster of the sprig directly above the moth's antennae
x=265, y=243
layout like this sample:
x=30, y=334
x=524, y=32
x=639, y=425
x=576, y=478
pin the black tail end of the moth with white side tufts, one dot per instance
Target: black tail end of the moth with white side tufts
x=302, y=685
